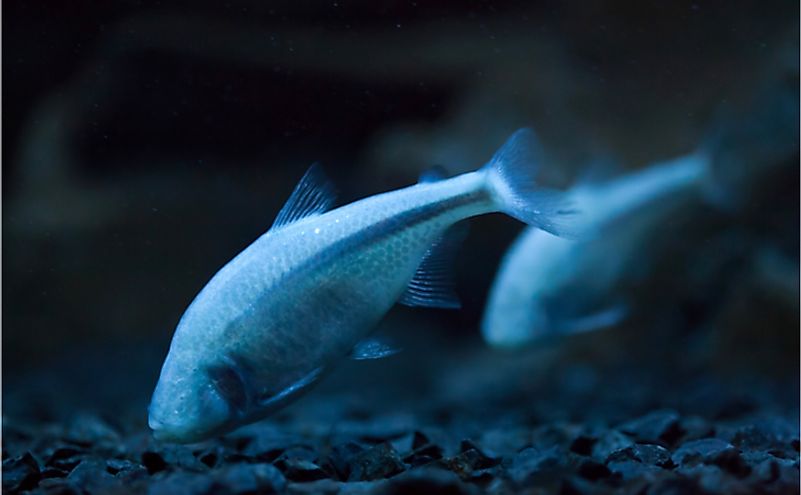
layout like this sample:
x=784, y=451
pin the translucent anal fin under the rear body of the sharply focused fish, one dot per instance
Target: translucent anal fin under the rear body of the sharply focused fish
x=432, y=284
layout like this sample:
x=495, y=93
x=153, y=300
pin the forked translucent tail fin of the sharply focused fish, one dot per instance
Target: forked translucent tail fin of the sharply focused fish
x=511, y=177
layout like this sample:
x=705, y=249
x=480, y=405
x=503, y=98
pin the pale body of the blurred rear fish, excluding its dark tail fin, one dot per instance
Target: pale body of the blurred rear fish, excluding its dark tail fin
x=548, y=287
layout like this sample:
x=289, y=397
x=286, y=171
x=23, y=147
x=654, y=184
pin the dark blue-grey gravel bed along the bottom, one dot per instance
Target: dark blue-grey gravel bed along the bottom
x=736, y=445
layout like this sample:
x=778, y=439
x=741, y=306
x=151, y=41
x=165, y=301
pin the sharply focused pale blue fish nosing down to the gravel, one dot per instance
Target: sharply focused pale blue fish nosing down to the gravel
x=309, y=292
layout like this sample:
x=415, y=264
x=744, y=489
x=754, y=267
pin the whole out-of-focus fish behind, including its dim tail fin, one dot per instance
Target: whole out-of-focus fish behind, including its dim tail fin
x=547, y=286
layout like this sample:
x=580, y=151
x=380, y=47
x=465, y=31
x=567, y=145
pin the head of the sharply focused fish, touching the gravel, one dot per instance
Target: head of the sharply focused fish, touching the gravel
x=193, y=400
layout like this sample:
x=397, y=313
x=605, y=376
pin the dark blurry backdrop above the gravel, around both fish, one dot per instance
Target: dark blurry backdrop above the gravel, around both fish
x=145, y=144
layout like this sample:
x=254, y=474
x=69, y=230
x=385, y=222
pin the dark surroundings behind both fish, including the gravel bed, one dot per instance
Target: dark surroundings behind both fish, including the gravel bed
x=147, y=143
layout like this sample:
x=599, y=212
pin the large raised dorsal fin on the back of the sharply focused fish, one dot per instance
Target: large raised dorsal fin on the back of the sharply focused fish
x=313, y=195
